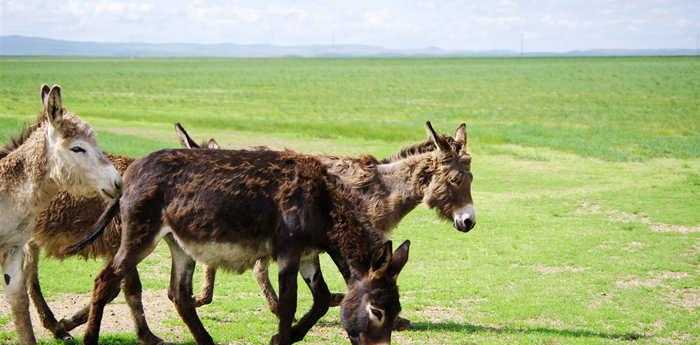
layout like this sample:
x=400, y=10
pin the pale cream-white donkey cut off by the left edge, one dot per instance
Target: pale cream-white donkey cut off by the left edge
x=58, y=152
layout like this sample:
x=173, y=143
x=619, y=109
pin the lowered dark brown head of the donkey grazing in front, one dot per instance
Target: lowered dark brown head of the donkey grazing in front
x=371, y=305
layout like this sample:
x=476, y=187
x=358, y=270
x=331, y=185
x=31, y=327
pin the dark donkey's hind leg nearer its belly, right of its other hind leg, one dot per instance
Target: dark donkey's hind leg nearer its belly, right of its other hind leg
x=181, y=292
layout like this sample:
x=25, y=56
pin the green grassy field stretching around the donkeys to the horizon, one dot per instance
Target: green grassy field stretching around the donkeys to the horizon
x=587, y=185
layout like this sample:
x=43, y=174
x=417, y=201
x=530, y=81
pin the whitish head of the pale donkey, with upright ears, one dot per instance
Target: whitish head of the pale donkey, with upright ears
x=74, y=160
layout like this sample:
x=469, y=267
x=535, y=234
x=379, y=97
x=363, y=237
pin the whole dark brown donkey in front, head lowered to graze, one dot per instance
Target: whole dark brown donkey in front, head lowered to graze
x=231, y=208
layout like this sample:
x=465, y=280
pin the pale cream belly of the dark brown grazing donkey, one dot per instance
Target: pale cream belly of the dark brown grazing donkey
x=235, y=257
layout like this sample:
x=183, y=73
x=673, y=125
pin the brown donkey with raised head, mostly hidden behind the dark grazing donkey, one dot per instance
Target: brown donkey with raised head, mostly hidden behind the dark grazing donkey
x=436, y=172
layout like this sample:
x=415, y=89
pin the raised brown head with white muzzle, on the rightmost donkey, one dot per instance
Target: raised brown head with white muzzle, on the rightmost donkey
x=449, y=190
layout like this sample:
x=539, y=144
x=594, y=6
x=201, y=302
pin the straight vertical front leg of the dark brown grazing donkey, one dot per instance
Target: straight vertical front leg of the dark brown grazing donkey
x=288, y=268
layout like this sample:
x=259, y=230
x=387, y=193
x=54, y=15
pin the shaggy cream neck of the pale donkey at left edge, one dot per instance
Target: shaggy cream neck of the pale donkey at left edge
x=24, y=173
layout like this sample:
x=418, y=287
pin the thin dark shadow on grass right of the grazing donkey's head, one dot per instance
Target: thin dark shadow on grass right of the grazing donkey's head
x=449, y=326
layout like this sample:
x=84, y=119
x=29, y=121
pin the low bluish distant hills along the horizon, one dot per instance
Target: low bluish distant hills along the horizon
x=36, y=46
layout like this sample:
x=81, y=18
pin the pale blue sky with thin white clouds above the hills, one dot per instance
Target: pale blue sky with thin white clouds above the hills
x=455, y=25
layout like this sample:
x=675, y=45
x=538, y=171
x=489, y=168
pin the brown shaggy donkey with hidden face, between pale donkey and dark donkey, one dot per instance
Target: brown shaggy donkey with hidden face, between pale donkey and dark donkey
x=68, y=219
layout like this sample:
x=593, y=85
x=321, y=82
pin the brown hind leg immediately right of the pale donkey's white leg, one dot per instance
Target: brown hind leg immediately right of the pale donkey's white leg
x=45, y=314
